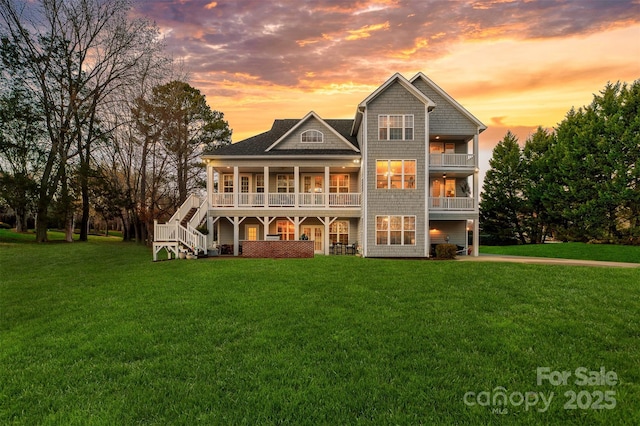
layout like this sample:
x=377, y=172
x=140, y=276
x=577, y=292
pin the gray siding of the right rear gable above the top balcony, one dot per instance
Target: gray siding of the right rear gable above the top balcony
x=445, y=119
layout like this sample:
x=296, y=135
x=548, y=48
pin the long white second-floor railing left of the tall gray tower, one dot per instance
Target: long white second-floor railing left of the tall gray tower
x=302, y=200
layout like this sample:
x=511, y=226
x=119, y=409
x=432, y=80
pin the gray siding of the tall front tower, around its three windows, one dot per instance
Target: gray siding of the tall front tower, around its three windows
x=402, y=202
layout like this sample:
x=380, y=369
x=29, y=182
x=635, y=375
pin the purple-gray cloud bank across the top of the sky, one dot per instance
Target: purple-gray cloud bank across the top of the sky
x=281, y=42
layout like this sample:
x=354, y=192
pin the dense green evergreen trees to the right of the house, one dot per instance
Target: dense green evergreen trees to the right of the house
x=578, y=182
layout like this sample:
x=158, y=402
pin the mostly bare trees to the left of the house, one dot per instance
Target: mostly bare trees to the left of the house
x=95, y=118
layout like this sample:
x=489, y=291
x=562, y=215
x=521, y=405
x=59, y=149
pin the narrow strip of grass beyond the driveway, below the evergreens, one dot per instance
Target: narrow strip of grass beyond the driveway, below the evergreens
x=605, y=252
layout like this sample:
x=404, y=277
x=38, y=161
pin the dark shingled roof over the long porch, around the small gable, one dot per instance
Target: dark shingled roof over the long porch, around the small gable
x=258, y=145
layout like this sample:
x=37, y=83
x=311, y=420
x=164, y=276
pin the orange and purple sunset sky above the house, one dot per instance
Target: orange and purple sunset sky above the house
x=513, y=64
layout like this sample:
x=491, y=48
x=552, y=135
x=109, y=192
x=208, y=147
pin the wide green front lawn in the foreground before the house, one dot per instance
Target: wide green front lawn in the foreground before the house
x=96, y=333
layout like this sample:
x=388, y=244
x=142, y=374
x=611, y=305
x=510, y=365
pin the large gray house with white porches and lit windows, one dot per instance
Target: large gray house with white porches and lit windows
x=398, y=179
